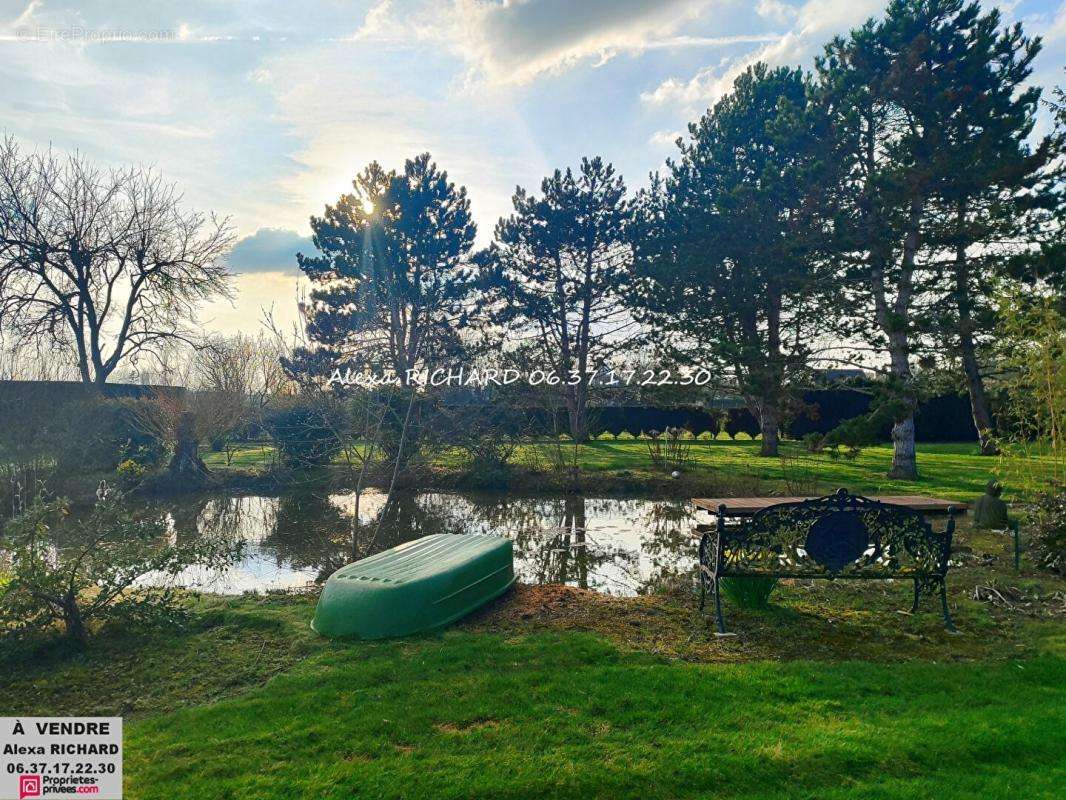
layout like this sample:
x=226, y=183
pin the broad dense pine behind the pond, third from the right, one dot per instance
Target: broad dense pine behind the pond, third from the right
x=733, y=243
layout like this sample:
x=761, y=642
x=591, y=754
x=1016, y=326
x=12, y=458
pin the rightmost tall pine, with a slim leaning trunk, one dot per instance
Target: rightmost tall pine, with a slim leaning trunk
x=992, y=187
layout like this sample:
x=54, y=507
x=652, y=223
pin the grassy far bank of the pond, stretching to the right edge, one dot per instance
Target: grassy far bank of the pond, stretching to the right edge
x=720, y=468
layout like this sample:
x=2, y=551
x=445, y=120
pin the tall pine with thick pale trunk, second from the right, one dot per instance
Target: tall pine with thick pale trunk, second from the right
x=890, y=86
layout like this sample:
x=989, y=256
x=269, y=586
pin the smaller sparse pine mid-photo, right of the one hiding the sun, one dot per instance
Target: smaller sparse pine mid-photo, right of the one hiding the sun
x=558, y=277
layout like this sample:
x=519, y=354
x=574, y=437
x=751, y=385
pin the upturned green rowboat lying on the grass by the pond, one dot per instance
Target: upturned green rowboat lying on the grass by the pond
x=414, y=587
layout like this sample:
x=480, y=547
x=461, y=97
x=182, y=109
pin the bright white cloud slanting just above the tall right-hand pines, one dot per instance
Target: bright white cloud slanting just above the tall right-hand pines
x=816, y=23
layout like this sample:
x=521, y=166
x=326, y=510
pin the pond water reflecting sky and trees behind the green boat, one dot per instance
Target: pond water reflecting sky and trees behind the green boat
x=610, y=546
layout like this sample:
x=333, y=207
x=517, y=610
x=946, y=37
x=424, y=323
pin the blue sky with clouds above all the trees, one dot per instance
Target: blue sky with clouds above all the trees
x=264, y=111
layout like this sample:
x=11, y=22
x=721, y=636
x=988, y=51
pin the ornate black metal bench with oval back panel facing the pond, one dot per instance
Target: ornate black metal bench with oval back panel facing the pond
x=839, y=536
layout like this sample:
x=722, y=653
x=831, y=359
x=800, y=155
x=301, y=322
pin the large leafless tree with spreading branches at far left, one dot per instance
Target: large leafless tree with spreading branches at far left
x=104, y=264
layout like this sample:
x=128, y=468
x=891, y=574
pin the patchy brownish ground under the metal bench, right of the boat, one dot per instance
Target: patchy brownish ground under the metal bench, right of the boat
x=806, y=620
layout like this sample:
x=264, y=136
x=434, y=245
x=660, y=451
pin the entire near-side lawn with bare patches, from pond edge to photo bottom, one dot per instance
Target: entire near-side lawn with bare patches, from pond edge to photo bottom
x=555, y=692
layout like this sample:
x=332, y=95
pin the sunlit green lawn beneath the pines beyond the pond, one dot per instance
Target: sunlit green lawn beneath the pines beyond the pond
x=735, y=468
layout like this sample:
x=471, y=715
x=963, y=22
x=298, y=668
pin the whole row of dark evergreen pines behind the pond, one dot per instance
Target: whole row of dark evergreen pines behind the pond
x=883, y=201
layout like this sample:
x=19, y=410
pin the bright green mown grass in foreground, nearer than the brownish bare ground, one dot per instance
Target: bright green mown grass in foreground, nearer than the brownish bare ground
x=568, y=715
